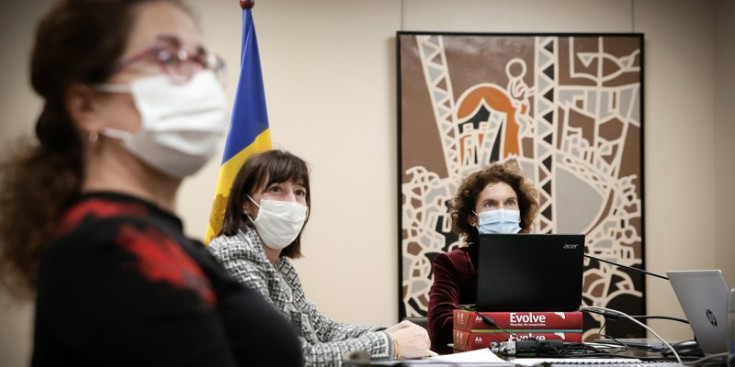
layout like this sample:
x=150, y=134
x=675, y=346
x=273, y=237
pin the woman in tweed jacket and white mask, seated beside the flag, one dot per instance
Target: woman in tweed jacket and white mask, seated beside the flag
x=266, y=212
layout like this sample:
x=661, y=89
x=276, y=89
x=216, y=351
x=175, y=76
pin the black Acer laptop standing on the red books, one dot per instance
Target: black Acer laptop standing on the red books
x=529, y=272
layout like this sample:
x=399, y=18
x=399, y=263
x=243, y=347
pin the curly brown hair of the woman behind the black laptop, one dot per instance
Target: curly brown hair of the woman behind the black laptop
x=461, y=207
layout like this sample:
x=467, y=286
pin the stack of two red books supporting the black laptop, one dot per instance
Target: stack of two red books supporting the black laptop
x=477, y=330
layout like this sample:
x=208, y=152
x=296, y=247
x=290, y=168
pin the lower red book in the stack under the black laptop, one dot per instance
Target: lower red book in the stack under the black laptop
x=466, y=341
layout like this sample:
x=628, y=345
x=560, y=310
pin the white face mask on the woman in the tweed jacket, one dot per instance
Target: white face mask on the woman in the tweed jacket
x=279, y=222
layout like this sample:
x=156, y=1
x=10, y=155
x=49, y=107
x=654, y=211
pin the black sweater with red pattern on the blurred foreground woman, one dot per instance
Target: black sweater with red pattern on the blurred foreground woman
x=121, y=285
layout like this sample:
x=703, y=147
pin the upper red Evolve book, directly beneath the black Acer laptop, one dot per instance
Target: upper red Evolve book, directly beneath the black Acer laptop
x=526, y=320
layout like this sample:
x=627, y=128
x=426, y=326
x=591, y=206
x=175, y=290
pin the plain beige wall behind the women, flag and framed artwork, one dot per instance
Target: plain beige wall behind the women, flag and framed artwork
x=329, y=72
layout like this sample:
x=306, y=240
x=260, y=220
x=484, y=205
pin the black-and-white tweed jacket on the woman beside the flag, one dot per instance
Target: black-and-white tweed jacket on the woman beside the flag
x=323, y=340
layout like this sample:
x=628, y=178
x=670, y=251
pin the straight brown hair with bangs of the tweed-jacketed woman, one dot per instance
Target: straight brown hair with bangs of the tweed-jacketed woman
x=261, y=170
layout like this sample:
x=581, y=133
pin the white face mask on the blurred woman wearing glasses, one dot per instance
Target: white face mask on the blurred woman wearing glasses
x=182, y=124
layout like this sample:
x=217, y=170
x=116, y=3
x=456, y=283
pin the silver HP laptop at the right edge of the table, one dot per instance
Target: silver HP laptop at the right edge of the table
x=702, y=295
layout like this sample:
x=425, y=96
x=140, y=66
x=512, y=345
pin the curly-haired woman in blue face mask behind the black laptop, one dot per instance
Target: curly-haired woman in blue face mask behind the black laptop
x=497, y=199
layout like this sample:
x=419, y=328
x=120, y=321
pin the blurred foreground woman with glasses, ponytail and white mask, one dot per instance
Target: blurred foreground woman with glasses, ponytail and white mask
x=132, y=105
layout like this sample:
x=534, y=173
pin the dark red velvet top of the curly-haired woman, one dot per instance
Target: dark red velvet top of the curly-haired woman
x=455, y=283
